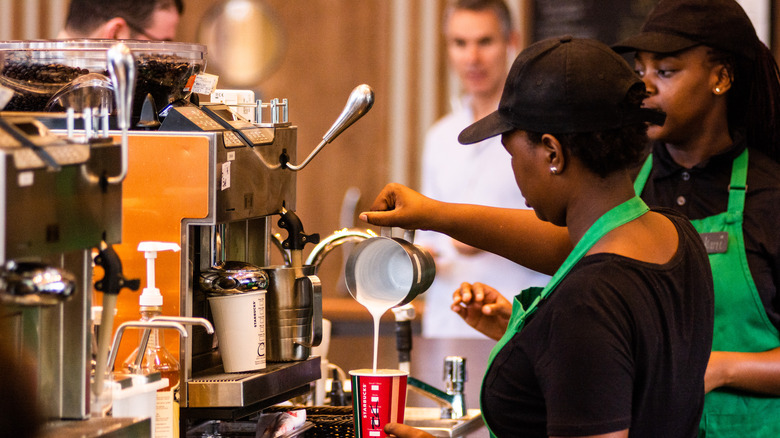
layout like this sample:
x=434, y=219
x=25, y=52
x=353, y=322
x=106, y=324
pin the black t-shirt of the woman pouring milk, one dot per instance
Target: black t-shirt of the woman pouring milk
x=618, y=344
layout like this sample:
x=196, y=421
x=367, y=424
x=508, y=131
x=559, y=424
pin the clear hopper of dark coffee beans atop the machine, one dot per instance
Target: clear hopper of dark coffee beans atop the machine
x=44, y=75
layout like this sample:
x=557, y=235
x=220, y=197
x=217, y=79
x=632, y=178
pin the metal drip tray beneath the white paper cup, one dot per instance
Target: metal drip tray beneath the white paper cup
x=214, y=388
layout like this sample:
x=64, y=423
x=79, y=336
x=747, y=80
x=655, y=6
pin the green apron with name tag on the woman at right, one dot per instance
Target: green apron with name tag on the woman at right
x=741, y=323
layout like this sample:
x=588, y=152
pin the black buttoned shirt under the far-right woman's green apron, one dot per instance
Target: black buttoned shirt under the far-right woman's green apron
x=703, y=191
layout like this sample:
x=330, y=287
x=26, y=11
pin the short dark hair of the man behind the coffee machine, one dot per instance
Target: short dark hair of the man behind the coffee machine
x=84, y=16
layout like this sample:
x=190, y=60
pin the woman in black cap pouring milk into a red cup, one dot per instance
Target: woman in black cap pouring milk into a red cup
x=617, y=343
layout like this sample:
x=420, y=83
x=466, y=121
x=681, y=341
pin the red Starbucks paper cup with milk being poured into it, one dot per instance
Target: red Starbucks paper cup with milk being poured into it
x=378, y=398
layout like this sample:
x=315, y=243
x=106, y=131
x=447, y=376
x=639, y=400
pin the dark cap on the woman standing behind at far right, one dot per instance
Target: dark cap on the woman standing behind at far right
x=675, y=25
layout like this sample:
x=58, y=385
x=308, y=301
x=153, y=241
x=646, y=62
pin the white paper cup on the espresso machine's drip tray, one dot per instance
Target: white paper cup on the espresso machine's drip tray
x=239, y=321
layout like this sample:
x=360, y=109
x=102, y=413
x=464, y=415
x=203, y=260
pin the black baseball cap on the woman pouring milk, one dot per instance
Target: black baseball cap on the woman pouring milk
x=564, y=85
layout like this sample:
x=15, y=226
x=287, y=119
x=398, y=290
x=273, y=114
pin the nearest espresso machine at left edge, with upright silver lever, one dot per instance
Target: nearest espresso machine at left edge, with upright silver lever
x=61, y=200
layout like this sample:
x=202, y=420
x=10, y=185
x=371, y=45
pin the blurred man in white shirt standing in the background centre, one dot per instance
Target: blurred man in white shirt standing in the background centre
x=480, y=42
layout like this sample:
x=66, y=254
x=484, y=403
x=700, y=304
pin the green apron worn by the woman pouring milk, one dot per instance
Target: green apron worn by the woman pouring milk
x=528, y=300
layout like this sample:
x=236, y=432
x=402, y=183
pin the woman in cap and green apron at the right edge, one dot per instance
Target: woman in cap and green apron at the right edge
x=716, y=161
